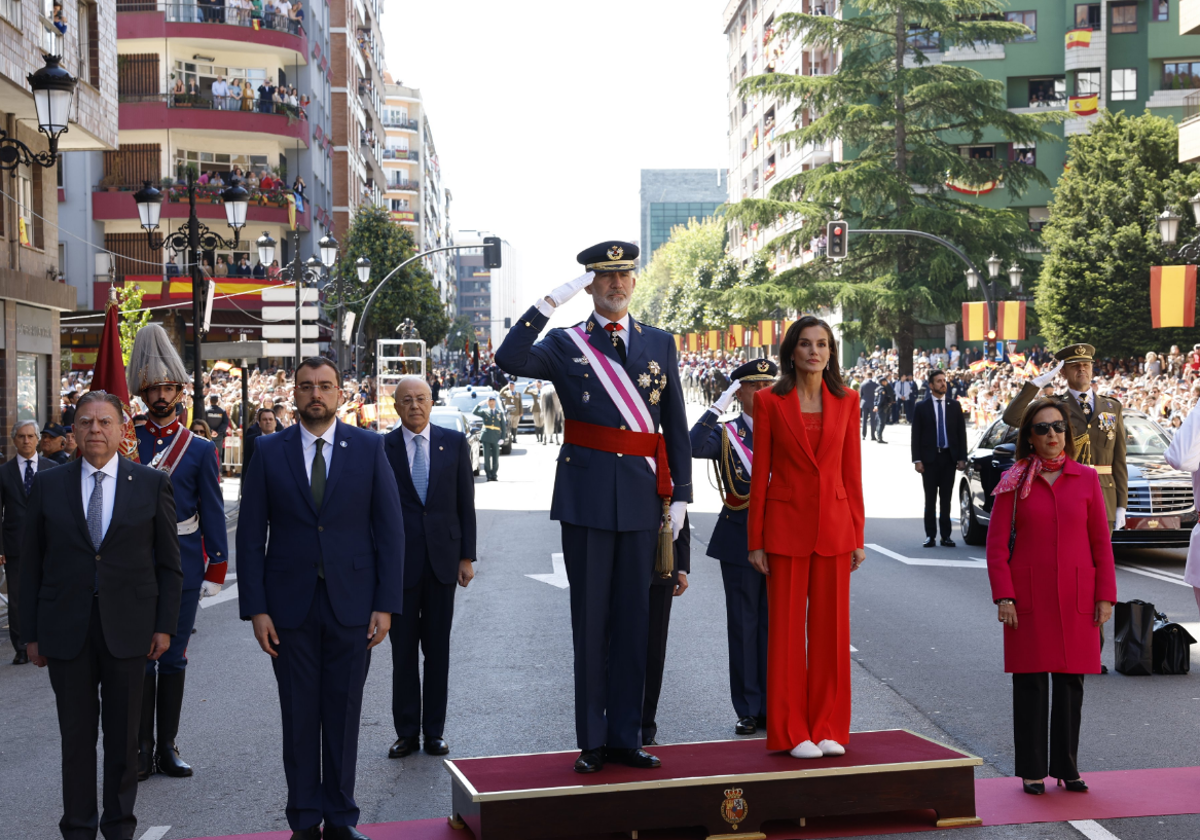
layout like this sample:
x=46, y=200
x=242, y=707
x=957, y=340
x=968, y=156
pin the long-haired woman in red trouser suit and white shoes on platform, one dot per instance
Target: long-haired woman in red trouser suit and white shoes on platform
x=806, y=533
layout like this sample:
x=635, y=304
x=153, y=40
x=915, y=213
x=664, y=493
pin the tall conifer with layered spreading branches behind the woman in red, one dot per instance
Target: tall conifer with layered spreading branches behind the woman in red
x=901, y=119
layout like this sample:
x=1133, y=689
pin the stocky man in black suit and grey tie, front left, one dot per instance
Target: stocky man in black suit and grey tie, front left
x=100, y=592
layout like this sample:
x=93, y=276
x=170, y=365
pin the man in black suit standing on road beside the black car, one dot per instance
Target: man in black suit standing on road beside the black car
x=939, y=448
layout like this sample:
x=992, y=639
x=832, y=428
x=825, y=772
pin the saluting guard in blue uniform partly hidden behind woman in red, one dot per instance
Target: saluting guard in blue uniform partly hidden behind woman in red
x=729, y=446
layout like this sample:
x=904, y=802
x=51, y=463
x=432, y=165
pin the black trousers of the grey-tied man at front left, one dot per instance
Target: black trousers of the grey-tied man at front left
x=118, y=707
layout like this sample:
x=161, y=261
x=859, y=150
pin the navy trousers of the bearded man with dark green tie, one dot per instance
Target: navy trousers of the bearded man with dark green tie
x=321, y=673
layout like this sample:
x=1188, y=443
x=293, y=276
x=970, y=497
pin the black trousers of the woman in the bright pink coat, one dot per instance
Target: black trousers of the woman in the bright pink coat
x=1031, y=701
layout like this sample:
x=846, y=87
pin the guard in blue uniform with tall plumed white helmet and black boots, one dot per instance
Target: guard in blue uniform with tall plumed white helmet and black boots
x=157, y=374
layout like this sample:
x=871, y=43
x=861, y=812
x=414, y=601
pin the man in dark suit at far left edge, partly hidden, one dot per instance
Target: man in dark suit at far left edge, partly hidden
x=16, y=484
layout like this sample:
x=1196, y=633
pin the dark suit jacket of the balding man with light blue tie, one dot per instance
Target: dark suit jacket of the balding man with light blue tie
x=443, y=530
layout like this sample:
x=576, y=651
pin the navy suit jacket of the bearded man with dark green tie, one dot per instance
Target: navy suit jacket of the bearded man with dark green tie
x=359, y=532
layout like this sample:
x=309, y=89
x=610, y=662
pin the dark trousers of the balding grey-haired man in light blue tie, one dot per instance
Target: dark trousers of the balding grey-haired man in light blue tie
x=425, y=623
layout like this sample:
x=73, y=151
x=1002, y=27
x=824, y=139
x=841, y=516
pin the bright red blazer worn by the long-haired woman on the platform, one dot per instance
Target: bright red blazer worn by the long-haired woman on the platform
x=805, y=502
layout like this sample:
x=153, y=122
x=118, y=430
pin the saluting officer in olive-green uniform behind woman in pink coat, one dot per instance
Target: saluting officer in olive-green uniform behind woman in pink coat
x=1096, y=423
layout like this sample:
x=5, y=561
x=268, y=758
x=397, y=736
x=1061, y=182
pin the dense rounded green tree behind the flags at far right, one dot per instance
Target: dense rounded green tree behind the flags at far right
x=1102, y=237
